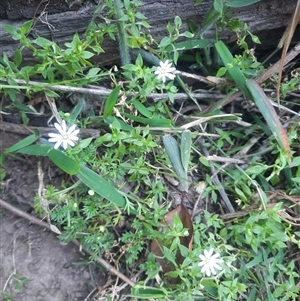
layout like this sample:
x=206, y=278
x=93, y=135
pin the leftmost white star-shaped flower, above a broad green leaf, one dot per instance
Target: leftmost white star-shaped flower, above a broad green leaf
x=65, y=136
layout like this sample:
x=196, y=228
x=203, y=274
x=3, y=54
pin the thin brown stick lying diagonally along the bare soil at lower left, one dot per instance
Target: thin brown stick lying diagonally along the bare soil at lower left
x=38, y=222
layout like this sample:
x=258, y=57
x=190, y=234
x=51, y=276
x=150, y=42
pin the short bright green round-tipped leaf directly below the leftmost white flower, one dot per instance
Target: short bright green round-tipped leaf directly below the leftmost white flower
x=65, y=163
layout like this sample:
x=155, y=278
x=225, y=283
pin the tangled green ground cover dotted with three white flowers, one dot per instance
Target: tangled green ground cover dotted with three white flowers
x=189, y=197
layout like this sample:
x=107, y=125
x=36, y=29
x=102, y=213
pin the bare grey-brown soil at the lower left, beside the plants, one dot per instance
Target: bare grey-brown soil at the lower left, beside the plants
x=34, y=265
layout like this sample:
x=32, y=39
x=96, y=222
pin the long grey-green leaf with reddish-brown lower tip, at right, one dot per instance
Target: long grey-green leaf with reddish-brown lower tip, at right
x=267, y=110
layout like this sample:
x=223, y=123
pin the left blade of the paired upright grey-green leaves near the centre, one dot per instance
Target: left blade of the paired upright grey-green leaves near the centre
x=172, y=150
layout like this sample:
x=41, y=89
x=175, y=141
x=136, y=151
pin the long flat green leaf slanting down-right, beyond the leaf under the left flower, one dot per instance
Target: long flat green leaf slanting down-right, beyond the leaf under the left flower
x=101, y=186
